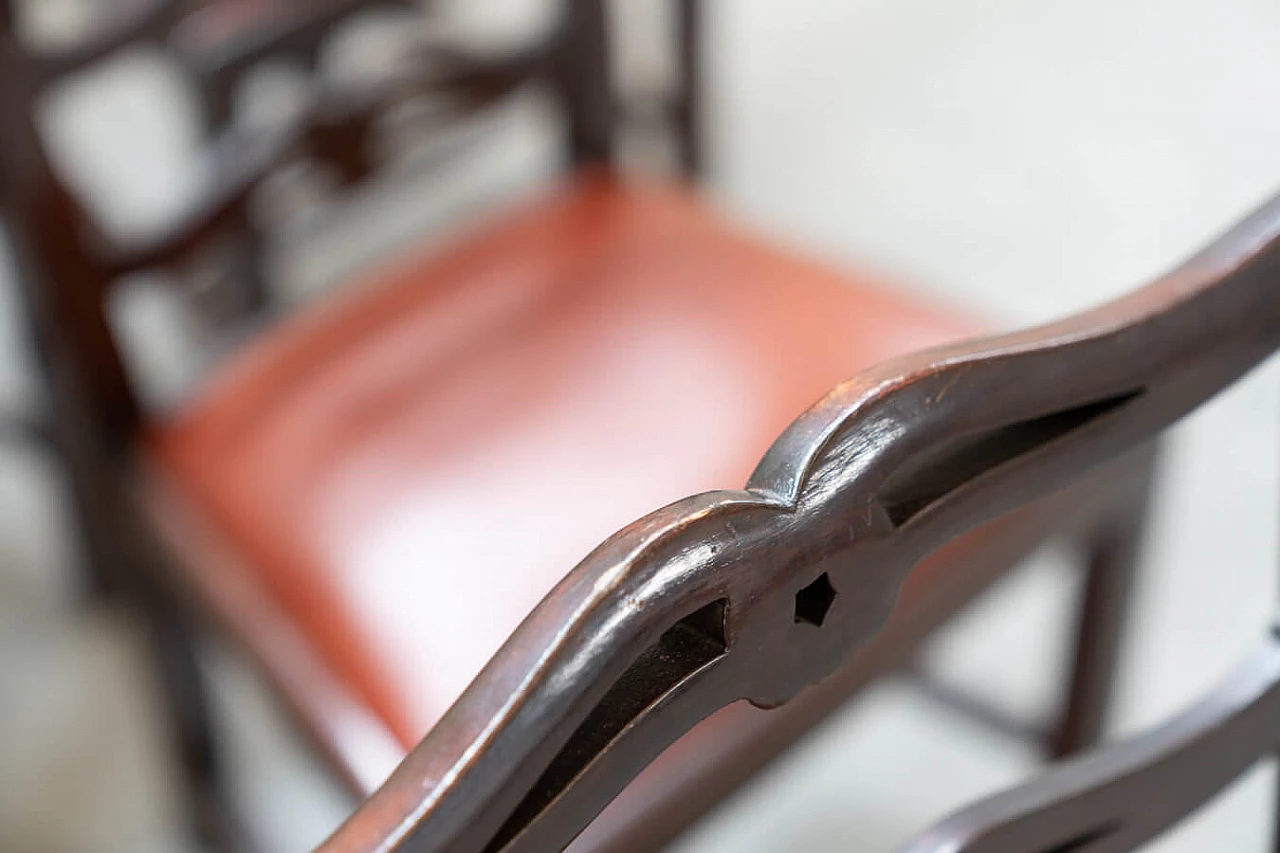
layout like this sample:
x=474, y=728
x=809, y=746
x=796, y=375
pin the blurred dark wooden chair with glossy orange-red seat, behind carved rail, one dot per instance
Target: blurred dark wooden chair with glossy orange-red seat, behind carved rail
x=373, y=494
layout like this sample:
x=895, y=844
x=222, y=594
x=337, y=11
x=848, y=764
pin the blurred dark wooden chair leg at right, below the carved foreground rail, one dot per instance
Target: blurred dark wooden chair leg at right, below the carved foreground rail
x=1112, y=558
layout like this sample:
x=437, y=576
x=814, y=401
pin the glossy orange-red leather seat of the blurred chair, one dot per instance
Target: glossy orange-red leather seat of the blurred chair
x=409, y=468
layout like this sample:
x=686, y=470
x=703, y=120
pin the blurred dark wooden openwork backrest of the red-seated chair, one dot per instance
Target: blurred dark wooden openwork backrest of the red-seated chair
x=67, y=267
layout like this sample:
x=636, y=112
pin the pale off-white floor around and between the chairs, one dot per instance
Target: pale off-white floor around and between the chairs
x=1020, y=157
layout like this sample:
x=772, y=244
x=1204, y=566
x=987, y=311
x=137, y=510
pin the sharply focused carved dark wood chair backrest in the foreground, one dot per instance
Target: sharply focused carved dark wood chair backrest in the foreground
x=697, y=605
